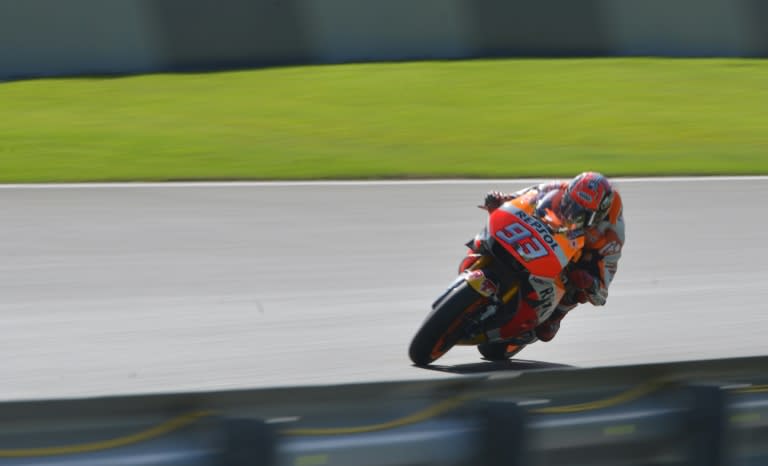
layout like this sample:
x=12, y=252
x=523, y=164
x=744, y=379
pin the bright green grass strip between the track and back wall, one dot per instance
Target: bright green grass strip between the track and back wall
x=478, y=118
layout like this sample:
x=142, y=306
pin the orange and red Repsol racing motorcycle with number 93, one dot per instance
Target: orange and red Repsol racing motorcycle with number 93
x=515, y=282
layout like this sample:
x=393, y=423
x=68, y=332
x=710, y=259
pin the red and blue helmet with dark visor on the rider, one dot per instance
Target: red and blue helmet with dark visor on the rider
x=586, y=200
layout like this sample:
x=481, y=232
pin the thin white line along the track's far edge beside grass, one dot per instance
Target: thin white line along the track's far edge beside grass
x=249, y=184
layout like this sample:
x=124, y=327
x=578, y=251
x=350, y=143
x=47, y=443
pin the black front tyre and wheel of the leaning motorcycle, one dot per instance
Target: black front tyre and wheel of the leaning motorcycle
x=443, y=327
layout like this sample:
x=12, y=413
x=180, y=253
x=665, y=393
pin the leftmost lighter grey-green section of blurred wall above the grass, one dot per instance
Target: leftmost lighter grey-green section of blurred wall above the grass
x=54, y=38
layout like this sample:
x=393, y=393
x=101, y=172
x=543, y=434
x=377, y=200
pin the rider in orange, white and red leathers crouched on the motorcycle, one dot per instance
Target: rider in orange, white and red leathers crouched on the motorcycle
x=589, y=205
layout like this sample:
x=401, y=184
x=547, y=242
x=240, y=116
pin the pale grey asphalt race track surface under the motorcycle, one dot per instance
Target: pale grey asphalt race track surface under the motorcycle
x=107, y=290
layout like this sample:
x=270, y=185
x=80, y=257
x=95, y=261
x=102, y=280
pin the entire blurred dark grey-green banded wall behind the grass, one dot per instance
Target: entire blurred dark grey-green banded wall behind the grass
x=77, y=37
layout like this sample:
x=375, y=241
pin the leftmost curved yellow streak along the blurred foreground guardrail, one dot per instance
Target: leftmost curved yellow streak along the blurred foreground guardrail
x=149, y=434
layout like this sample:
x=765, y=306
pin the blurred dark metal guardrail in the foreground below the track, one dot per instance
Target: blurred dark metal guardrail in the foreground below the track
x=692, y=413
